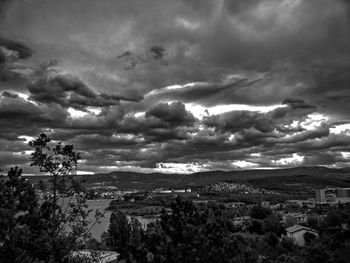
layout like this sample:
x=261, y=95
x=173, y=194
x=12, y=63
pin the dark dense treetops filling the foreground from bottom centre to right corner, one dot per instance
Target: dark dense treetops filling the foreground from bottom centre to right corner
x=206, y=234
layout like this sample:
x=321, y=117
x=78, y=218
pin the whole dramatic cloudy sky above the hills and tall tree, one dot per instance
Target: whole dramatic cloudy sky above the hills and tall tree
x=177, y=85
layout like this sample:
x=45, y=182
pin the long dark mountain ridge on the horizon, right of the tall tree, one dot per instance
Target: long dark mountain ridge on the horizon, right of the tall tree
x=161, y=180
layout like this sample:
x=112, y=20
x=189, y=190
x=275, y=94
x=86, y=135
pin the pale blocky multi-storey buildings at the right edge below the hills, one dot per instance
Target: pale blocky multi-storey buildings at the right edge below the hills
x=332, y=195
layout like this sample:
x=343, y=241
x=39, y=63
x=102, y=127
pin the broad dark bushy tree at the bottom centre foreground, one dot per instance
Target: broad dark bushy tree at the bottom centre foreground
x=190, y=234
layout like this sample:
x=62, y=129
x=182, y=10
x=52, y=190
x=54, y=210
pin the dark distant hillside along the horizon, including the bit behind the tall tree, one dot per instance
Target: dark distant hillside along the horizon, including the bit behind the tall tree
x=273, y=179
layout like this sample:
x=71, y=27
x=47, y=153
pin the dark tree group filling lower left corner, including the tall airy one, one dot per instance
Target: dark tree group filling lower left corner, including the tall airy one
x=45, y=231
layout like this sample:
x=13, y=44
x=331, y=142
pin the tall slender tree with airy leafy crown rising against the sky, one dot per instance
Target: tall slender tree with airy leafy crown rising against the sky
x=66, y=222
